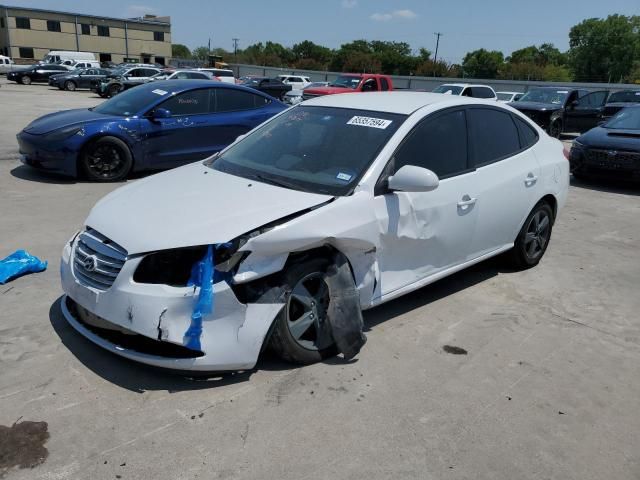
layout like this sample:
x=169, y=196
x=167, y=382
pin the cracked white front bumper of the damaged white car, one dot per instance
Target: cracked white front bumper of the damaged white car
x=232, y=336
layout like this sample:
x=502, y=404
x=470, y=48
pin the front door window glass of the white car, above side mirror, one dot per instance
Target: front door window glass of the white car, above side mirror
x=439, y=144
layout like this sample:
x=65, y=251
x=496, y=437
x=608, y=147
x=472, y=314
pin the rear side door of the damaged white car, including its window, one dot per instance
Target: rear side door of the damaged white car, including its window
x=507, y=173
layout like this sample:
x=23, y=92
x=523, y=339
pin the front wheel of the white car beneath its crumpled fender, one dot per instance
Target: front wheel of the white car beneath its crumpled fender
x=302, y=333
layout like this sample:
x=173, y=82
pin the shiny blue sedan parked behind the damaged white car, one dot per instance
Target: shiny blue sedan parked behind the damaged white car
x=153, y=126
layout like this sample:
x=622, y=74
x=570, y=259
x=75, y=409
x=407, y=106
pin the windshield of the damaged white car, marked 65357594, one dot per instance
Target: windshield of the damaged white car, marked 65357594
x=313, y=149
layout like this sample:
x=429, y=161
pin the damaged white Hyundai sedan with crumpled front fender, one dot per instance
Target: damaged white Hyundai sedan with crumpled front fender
x=332, y=207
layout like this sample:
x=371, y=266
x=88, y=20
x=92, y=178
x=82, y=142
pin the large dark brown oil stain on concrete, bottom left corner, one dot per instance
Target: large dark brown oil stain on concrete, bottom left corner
x=22, y=445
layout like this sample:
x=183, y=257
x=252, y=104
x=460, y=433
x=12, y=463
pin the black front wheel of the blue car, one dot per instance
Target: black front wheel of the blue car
x=107, y=159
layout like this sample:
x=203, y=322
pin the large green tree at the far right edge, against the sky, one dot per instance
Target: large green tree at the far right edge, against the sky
x=603, y=50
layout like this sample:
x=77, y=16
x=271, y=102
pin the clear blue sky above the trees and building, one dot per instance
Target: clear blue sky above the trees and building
x=466, y=25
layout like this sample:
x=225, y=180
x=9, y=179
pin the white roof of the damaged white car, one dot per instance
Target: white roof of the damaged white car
x=394, y=102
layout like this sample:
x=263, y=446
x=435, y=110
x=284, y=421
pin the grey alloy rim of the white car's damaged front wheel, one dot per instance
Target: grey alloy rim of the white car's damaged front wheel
x=306, y=312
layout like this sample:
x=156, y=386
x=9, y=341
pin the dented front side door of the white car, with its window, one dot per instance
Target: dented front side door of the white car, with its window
x=423, y=233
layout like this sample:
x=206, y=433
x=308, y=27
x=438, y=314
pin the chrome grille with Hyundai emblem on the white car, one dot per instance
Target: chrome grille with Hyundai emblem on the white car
x=97, y=260
